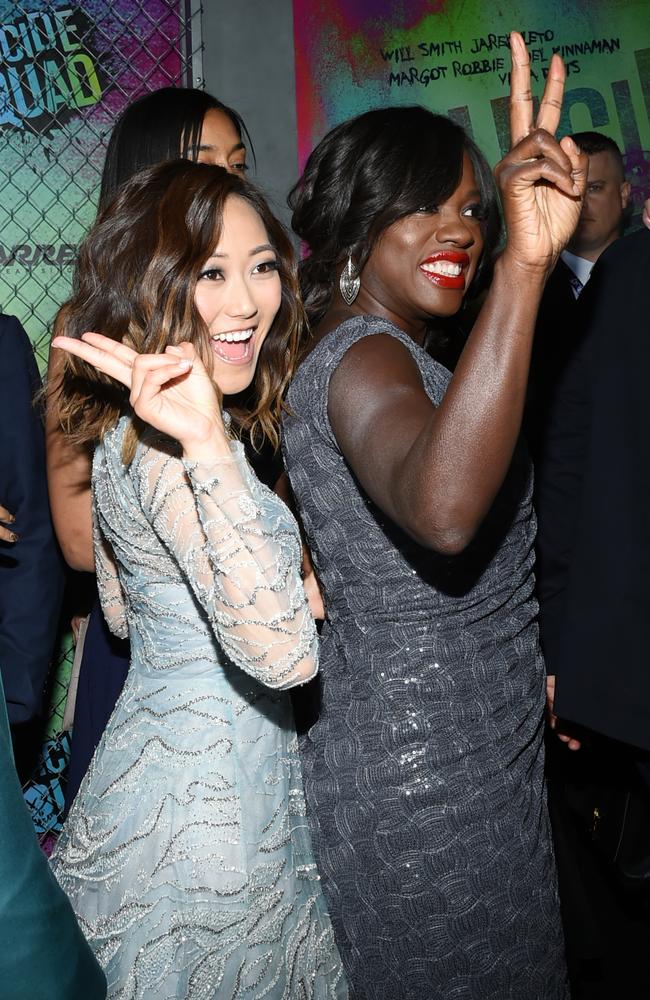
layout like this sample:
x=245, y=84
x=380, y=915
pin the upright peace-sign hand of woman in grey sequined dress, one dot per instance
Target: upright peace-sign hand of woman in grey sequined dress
x=542, y=181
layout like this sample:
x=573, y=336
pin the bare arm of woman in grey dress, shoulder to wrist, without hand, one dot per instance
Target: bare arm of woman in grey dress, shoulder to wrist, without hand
x=436, y=470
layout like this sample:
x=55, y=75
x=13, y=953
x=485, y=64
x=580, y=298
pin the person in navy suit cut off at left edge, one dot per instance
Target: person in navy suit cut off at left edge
x=31, y=568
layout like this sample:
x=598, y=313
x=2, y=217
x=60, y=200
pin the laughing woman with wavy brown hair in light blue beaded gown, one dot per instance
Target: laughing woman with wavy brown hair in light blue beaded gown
x=186, y=855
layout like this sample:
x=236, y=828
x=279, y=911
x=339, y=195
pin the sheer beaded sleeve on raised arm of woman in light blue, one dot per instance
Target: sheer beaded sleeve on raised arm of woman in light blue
x=239, y=555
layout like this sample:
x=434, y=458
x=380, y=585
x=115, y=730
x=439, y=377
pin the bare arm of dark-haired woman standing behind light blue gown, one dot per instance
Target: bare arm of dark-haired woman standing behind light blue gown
x=68, y=480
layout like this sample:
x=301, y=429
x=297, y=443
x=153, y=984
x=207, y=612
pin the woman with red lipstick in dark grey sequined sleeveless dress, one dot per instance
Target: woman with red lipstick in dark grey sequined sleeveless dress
x=424, y=769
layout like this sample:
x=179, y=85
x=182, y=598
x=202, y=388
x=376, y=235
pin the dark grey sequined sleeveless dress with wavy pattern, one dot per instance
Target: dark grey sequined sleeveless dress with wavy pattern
x=424, y=770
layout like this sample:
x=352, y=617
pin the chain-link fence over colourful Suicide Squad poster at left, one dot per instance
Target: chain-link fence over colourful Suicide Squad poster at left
x=66, y=72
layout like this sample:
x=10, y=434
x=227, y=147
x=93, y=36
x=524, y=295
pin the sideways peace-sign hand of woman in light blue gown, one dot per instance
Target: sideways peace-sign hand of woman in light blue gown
x=172, y=391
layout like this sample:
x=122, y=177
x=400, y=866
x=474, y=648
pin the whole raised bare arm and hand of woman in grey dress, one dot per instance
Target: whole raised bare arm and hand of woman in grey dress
x=436, y=471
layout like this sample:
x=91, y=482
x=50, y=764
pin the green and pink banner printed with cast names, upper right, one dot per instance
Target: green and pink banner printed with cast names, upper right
x=453, y=56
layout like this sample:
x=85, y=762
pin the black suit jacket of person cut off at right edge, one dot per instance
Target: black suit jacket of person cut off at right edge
x=599, y=428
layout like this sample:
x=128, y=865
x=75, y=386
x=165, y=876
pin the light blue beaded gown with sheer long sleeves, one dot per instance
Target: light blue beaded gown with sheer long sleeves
x=186, y=854
